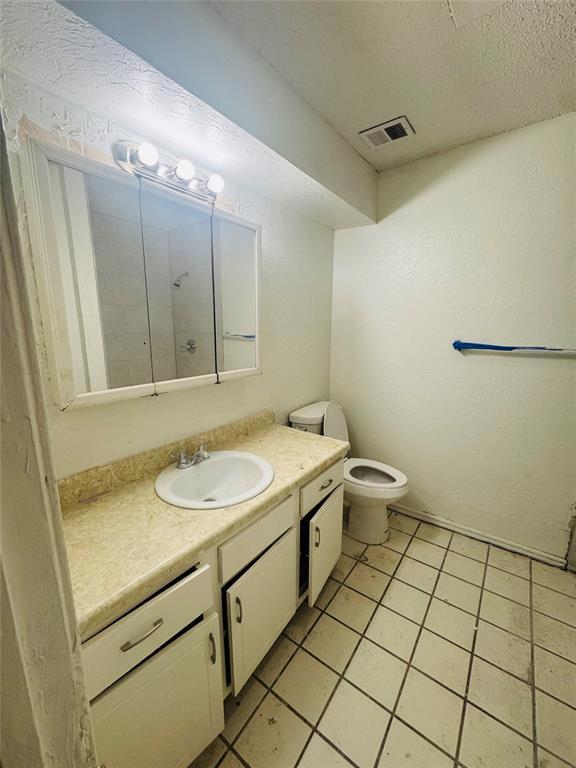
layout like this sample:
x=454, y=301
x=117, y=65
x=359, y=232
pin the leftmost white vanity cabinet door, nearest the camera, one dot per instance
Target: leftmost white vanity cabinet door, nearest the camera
x=168, y=709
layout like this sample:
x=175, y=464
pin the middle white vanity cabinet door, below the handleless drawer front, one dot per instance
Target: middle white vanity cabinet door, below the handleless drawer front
x=260, y=604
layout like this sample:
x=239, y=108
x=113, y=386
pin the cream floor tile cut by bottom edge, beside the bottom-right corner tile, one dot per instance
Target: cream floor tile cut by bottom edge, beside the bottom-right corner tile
x=486, y=743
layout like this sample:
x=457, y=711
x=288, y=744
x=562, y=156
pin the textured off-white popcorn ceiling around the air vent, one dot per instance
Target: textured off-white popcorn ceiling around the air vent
x=360, y=63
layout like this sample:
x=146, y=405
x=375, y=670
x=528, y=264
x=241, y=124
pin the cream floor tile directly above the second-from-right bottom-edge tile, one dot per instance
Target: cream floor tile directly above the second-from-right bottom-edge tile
x=501, y=695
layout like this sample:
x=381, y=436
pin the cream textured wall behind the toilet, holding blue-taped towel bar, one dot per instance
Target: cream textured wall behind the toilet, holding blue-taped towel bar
x=478, y=244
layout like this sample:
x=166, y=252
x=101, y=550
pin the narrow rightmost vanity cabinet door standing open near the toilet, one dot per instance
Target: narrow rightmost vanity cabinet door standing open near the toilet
x=325, y=542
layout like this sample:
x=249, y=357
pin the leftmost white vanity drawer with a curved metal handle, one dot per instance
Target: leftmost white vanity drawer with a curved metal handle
x=114, y=651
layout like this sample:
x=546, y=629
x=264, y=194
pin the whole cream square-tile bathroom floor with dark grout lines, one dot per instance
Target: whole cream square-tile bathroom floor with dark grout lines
x=432, y=651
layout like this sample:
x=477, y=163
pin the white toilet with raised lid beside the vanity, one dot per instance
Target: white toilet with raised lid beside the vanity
x=369, y=486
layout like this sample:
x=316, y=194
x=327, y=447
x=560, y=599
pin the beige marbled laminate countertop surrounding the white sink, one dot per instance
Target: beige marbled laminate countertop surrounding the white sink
x=128, y=543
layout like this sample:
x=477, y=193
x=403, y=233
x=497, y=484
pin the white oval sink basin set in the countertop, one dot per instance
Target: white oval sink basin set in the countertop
x=224, y=479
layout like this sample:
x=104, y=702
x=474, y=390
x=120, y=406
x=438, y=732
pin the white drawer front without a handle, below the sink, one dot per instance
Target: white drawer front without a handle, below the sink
x=246, y=546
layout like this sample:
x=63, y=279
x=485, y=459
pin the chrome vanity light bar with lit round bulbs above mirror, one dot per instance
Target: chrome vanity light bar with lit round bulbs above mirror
x=143, y=160
